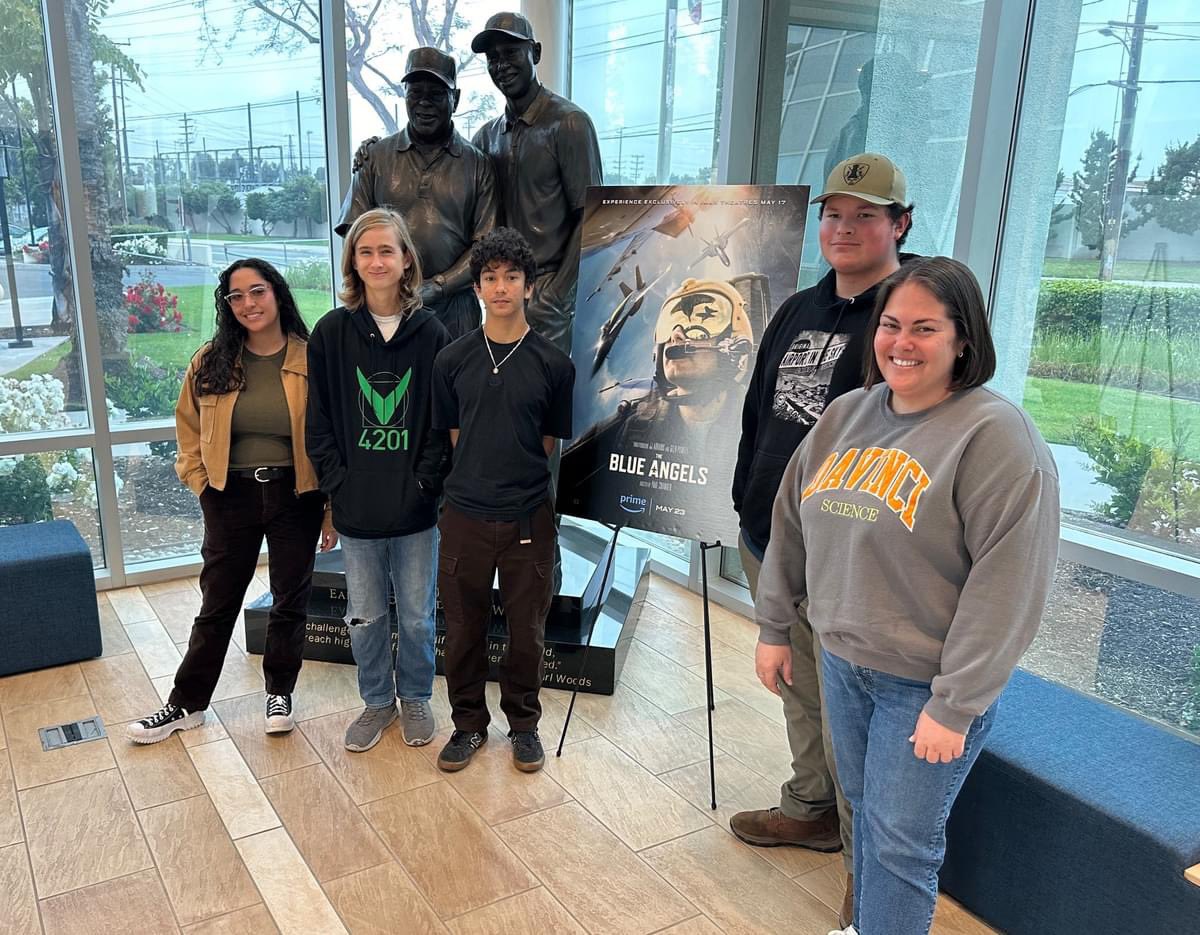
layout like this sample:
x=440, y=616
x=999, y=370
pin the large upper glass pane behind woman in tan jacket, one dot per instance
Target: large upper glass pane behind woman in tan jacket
x=201, y=142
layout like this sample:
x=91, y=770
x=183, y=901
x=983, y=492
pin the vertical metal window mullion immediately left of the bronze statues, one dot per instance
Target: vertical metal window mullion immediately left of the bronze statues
x=335, y=103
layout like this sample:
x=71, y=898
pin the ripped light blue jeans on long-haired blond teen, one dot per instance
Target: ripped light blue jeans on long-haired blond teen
x=411, y=564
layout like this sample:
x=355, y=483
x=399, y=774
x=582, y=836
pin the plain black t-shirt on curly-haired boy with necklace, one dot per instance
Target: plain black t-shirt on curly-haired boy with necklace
x=500, y=469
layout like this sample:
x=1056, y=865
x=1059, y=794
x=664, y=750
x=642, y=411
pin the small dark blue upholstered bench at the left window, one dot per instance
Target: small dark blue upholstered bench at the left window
x=50, y=597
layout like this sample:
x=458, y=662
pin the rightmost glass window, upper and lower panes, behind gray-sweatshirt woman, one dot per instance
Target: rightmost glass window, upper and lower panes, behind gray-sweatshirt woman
x=1096, y=313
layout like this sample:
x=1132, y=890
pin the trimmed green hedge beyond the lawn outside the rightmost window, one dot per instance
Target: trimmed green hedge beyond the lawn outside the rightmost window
x=1082, y=307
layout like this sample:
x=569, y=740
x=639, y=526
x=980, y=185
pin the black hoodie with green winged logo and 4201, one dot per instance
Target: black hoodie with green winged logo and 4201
x=369, y=430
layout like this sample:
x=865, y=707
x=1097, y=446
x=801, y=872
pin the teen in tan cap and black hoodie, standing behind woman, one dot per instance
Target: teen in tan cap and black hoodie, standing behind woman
x=813, y=352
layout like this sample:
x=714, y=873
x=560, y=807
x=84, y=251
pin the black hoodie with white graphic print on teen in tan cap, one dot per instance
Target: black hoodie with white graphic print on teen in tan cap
x=811, y=355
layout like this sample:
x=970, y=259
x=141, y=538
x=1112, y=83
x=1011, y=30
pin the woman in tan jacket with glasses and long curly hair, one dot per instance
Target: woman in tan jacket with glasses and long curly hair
x=242, y=451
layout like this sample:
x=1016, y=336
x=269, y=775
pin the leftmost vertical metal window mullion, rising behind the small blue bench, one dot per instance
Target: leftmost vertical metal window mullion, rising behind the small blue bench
x=75, y=212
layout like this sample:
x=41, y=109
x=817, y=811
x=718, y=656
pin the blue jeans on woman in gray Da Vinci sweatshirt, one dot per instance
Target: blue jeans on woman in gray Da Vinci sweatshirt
x=901, y=804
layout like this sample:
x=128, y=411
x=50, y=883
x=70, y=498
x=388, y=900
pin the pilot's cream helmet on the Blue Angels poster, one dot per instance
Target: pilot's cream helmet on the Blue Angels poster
x=703, y=319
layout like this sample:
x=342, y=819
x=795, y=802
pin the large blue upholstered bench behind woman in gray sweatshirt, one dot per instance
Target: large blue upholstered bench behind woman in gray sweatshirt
x=1078, y=818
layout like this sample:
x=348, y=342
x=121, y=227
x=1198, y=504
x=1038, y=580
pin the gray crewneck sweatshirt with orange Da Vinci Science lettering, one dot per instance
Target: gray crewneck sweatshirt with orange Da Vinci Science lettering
x=926, y=544
